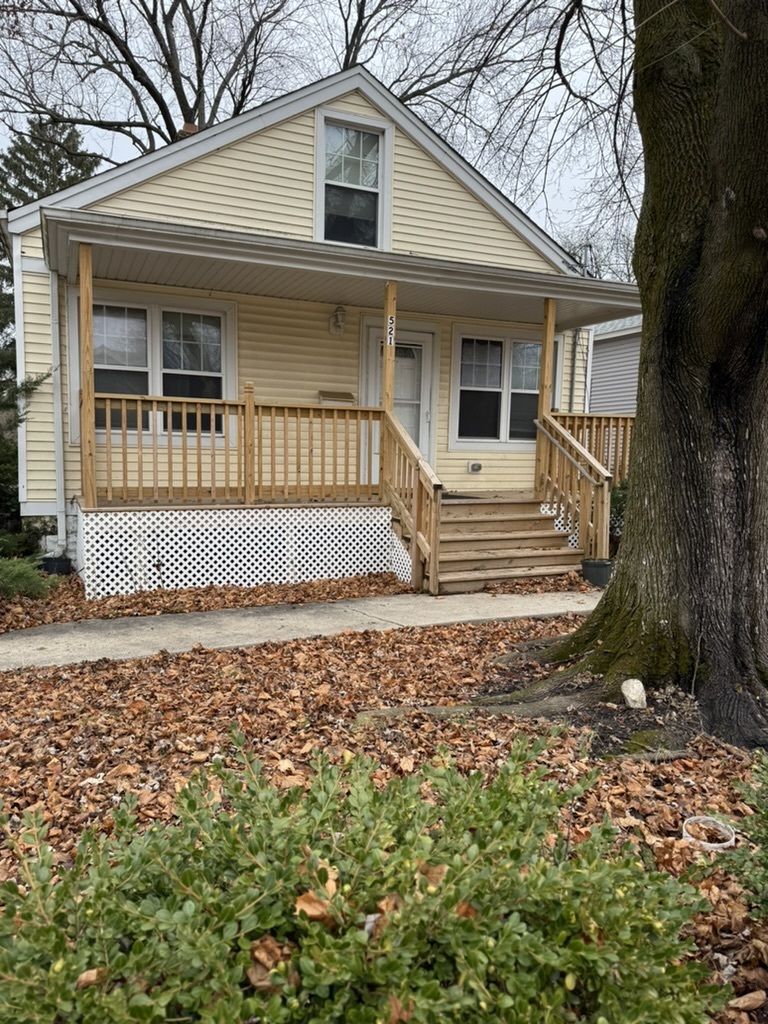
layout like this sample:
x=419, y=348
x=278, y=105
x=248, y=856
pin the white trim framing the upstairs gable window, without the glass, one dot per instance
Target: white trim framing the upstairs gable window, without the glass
x=323, y=116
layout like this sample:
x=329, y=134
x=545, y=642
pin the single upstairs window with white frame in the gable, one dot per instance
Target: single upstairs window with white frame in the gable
x=353, y=181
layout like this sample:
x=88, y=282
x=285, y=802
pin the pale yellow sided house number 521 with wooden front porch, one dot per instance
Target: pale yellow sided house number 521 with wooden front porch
x=312, y=342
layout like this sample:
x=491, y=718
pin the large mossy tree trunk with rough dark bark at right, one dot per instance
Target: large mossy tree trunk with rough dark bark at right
x=690, y=599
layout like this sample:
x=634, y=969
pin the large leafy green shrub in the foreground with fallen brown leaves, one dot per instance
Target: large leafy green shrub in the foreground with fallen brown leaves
x=486, y=912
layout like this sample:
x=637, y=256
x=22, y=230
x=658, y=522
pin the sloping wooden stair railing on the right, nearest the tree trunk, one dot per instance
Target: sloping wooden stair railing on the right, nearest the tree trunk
x=577, y=485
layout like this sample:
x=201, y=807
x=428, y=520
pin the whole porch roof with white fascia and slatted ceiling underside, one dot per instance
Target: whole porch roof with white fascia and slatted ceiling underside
x=215, y=260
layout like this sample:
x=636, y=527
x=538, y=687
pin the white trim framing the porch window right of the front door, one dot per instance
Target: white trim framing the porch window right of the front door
x=506, y=337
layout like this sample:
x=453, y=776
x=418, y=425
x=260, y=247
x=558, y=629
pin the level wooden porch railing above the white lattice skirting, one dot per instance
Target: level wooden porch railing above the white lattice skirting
x=221, y=452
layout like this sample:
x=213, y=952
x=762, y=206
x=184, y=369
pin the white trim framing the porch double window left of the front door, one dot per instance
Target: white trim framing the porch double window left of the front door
x=154, y=303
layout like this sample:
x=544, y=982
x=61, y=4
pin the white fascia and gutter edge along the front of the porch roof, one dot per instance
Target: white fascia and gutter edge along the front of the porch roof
x=64, y=230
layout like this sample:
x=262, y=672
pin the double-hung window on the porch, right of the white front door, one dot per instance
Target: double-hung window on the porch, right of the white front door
x=496, y=391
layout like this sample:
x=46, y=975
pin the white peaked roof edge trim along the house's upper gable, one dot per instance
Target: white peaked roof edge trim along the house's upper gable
x=292, y=105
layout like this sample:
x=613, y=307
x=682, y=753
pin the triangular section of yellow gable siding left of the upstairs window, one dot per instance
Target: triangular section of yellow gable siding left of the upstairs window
x=264, y=184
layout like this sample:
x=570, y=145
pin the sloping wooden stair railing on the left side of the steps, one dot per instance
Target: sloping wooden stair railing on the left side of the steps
x=414, y=493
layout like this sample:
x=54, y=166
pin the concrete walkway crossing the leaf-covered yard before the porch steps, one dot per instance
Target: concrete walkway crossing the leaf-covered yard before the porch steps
x=139, y=637
